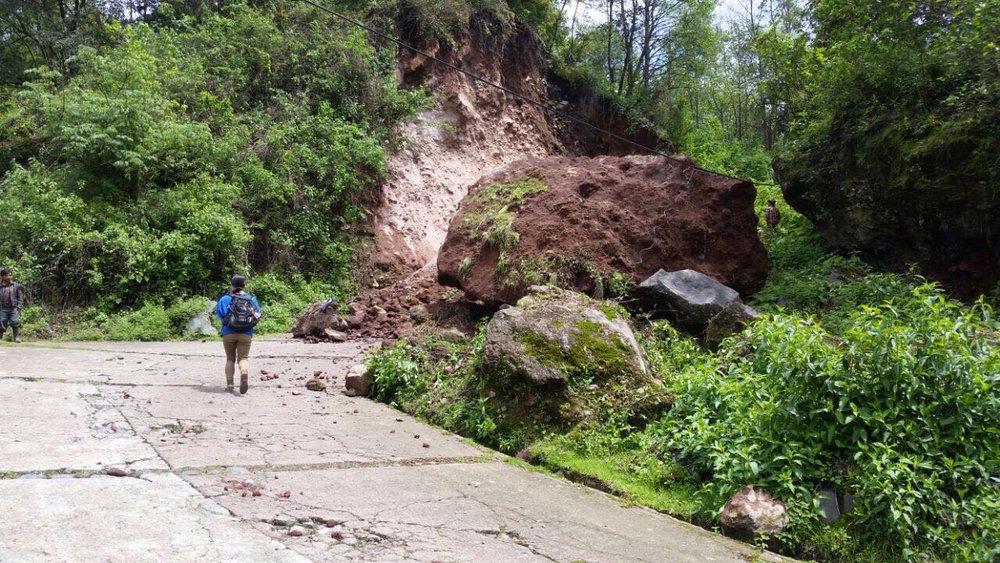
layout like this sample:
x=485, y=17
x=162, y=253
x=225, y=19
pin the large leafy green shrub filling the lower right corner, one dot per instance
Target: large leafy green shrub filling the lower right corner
x=904, y=411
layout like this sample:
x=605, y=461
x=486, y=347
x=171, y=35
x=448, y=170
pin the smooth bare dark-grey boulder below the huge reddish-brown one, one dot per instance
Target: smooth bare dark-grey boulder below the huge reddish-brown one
x=693, y=301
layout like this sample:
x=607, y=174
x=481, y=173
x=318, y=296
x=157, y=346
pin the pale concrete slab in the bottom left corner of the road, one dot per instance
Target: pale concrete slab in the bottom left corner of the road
x=157, y=518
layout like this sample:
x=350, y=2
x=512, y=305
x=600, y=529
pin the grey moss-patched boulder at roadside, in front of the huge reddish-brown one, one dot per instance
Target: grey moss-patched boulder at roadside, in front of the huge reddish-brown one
x=552, y=334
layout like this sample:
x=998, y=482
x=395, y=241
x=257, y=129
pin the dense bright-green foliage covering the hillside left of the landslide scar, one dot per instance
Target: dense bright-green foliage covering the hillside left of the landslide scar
x=186, y=149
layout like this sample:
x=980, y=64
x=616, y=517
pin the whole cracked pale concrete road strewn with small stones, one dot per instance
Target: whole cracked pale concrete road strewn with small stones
x=279, y=474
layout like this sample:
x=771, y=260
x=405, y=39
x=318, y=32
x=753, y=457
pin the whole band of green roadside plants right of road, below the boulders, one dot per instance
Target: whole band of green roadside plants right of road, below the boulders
x=854, y=380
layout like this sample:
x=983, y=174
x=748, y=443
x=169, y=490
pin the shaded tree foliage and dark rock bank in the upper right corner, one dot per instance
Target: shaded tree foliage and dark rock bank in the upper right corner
x=893, y=147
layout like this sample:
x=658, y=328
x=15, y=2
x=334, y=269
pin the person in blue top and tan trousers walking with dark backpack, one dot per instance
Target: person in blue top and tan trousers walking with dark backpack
x=239, y=312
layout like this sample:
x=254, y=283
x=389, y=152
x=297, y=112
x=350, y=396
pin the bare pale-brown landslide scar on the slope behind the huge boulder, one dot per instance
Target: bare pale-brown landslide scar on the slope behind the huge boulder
x=471, y=129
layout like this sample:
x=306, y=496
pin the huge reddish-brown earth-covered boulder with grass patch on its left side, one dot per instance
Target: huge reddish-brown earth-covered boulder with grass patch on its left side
x=583, y=222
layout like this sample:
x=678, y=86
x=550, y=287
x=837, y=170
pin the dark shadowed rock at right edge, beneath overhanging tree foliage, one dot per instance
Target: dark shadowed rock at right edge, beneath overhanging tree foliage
x=901, y=195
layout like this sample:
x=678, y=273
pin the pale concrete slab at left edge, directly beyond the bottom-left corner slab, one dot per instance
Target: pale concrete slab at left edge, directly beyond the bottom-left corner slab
x=47, y=426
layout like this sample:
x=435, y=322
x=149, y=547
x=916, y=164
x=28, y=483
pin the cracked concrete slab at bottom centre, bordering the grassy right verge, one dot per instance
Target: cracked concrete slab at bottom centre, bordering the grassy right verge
x=460, y=512
